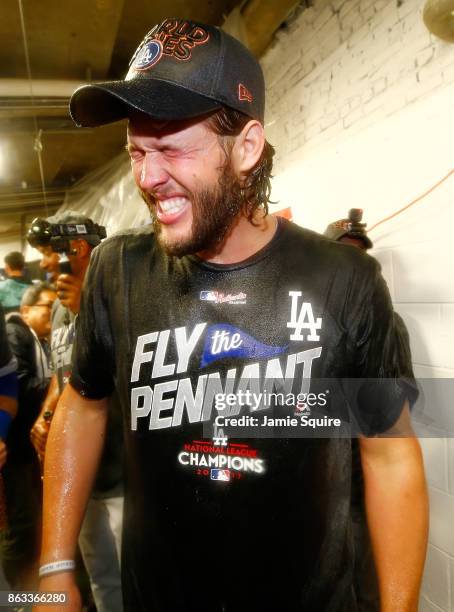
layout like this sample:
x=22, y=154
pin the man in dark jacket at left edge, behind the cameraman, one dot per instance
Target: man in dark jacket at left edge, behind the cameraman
x=27, y=334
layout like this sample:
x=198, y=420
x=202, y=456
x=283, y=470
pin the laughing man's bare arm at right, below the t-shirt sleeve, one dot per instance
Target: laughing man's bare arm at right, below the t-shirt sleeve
x=397, y=514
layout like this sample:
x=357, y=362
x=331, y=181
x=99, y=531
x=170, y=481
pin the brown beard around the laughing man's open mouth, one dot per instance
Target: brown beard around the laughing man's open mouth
x=214, y=212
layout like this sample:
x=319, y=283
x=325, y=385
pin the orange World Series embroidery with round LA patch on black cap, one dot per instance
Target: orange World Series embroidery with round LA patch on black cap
x=173, y=38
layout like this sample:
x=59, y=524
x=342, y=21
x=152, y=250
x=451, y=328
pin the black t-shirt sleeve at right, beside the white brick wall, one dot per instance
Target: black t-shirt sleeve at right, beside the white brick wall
x=382, y=375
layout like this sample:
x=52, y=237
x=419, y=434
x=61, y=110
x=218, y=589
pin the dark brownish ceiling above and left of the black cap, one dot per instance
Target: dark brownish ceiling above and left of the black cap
x=70, y=43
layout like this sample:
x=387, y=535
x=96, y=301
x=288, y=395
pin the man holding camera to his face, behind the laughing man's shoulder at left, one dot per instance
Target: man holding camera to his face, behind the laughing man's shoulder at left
x=100, y=537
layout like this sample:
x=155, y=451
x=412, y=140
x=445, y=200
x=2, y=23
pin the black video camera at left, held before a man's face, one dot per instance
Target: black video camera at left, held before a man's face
x=58, y=235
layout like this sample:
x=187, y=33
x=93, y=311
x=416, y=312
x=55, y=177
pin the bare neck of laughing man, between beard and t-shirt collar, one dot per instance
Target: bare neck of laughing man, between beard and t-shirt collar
x=244, y=239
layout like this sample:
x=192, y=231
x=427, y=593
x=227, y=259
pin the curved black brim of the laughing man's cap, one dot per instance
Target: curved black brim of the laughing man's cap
x=102, y=103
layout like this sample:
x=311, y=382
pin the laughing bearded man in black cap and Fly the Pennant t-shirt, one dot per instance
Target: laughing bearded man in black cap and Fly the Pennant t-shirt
x=222, y=303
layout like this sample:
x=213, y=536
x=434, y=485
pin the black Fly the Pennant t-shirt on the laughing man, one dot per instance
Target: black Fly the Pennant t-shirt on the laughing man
x=243, y=523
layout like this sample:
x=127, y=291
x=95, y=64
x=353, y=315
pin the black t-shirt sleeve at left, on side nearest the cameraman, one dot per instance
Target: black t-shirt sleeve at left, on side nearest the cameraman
x=92, y=357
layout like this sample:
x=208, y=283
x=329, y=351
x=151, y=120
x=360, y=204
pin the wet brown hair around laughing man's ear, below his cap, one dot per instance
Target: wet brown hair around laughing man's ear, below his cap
x=256, y=189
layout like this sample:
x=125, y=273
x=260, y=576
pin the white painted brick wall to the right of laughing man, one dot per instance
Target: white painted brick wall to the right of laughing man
x=360, y=106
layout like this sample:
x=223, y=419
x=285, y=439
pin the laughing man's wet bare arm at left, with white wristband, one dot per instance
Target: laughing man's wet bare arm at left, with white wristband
x=73, y=451
